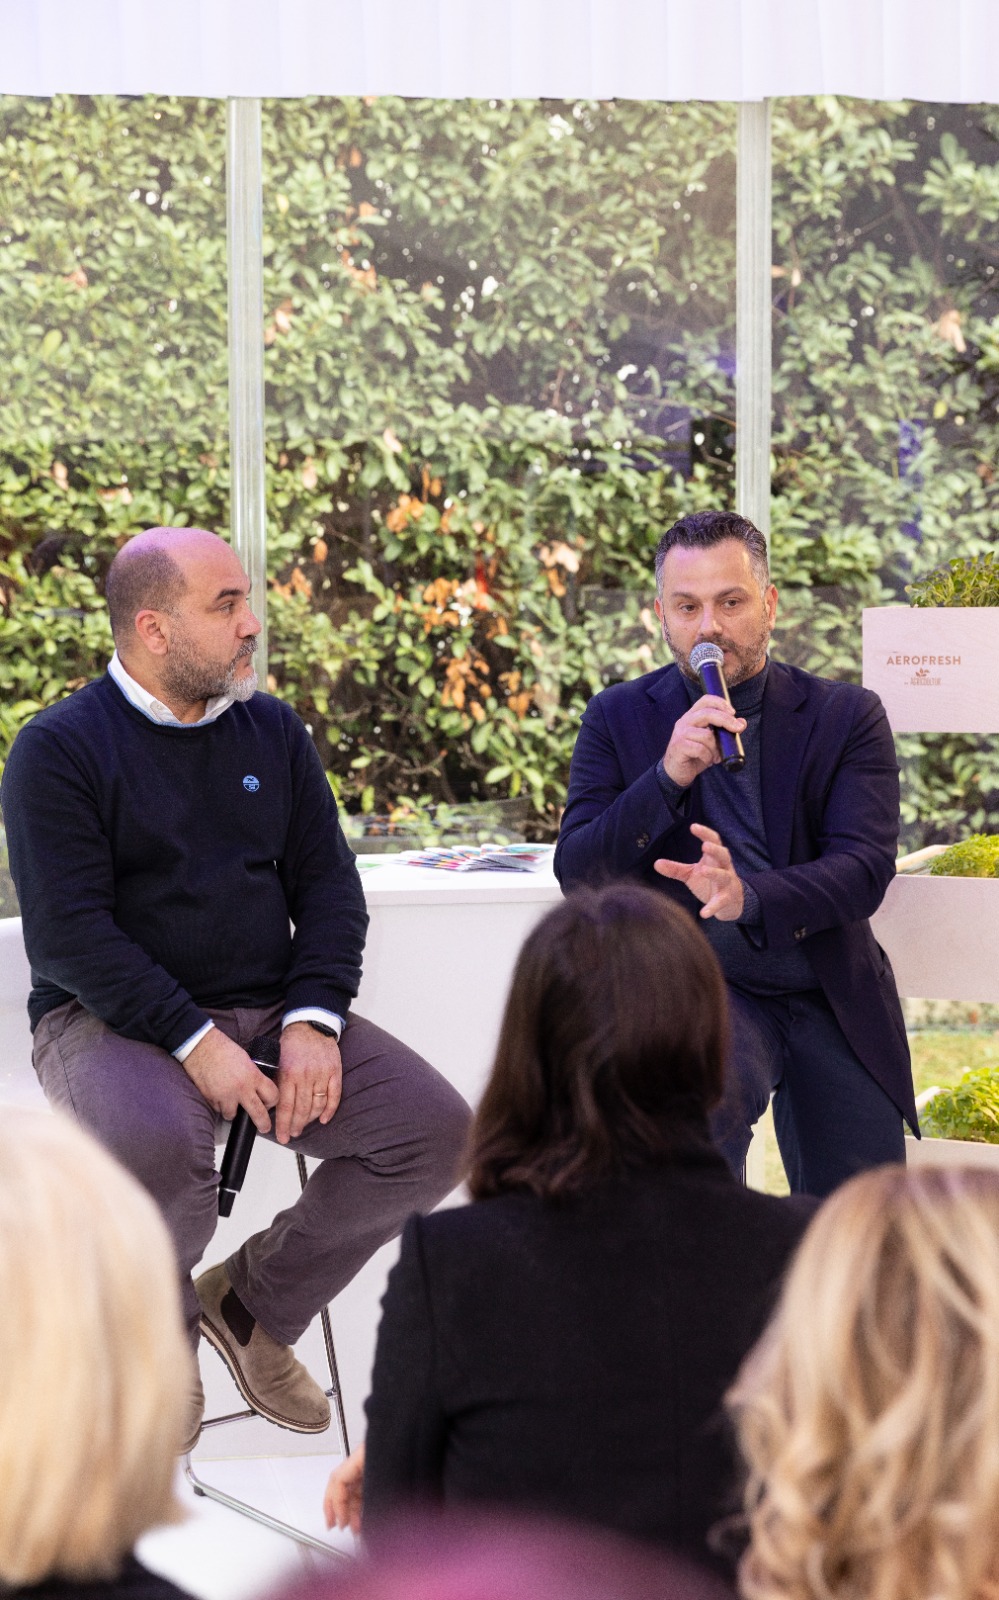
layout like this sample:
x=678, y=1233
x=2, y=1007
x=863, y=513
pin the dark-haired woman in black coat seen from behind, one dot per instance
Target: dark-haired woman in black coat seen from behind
x=564, y=1343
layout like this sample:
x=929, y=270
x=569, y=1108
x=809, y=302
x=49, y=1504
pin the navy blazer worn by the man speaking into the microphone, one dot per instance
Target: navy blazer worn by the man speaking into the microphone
x=830, y=796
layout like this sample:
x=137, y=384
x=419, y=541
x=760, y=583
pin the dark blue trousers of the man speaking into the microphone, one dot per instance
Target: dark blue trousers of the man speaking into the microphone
x=832, y=1118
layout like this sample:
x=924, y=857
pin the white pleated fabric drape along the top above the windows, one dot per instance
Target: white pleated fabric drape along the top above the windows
x=723, y=50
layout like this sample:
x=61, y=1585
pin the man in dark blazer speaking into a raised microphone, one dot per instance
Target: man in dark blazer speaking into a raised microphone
x=784, y=862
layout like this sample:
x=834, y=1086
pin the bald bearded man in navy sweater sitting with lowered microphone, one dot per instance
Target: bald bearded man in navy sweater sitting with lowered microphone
x=185, y=887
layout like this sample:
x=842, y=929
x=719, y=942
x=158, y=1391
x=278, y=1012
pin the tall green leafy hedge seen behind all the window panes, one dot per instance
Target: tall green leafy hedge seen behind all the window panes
x=487, y=329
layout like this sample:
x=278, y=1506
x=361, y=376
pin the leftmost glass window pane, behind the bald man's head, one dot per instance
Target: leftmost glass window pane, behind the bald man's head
x=113, y=346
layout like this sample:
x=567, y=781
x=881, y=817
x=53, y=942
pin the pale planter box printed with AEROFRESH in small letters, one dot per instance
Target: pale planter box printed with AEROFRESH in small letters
x=936, y=668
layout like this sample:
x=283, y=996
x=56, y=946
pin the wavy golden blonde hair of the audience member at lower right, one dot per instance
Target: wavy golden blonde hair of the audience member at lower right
x=869, y=1414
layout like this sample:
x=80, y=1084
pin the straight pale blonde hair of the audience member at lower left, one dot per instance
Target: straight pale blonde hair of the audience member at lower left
x=95, y=1372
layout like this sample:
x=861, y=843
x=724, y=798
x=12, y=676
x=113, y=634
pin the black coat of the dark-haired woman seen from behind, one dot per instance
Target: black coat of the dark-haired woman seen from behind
x=572, y=1358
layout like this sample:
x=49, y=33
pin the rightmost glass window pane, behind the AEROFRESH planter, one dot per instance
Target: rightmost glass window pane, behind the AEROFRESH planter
x=886, y=258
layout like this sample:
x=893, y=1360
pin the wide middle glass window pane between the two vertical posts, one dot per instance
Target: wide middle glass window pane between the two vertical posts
x=500, y=361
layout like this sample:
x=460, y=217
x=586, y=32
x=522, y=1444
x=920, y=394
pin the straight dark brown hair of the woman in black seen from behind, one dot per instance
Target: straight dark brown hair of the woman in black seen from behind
x=612, y=1046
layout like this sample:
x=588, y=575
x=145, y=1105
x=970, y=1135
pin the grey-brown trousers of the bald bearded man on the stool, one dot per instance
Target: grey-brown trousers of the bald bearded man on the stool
x=393, y=1148
